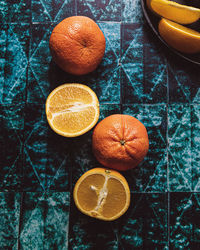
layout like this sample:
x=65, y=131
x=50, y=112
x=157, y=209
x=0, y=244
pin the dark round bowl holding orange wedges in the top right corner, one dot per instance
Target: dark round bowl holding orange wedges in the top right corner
x=153, y=21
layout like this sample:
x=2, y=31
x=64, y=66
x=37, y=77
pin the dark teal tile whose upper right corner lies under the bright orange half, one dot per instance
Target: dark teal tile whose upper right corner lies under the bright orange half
x=46, y=154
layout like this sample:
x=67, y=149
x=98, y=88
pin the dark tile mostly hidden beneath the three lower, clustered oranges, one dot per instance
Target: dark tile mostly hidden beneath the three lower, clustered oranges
x=83, y=158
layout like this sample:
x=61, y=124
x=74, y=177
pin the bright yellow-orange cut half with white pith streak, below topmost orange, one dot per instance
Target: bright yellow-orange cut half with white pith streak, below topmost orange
x=72, y=109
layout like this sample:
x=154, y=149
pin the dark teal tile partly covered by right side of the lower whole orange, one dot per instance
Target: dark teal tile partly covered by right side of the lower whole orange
x=151, y=174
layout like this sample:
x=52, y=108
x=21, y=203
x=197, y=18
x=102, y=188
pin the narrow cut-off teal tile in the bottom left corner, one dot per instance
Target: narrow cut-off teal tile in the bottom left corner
x=9, y=220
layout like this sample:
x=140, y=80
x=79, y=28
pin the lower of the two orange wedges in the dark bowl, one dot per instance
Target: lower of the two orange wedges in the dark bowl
x=179, y=37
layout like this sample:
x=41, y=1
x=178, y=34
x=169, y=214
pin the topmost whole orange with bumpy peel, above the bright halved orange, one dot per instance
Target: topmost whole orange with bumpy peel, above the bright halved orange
x=77, y=45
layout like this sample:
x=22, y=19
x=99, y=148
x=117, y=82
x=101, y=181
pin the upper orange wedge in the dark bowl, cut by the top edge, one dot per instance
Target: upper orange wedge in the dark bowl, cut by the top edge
x=176, y=12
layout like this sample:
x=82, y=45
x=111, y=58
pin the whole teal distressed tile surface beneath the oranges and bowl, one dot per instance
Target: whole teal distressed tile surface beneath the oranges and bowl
x=38, y=168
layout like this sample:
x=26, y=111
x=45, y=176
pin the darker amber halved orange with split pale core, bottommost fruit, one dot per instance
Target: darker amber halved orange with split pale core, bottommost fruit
x=102, y=194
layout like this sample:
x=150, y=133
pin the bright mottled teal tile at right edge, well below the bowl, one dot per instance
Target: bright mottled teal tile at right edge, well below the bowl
x=184, y=147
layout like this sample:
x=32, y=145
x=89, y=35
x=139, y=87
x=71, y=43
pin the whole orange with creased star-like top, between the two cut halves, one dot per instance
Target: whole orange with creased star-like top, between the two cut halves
x=120, y=142
